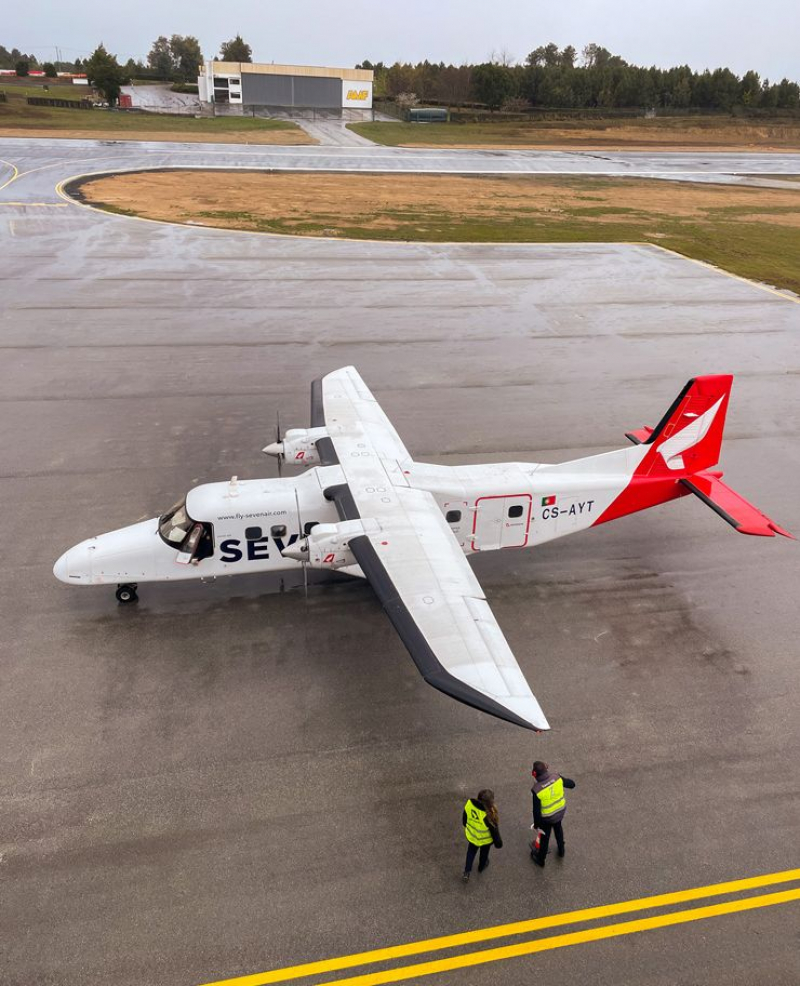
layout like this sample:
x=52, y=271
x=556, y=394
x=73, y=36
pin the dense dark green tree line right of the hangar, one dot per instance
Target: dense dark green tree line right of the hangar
x=557, y=78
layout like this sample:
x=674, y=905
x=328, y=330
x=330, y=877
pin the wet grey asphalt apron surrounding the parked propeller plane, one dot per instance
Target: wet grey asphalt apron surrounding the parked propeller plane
x=225, y=779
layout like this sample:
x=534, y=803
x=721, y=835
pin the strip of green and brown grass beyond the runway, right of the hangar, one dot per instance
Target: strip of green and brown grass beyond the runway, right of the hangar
x=663, y=133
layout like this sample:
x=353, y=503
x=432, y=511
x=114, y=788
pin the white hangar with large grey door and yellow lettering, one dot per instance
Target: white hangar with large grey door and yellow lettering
x=287, y=89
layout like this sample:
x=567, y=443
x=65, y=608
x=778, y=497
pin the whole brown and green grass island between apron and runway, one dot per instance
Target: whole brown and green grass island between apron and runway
x=753, y=232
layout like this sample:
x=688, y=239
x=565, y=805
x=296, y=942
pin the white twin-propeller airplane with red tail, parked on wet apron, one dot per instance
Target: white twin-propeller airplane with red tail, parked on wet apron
x=368, y=509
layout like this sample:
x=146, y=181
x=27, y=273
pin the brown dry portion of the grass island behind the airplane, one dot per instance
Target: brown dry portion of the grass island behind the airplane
x=245, y=199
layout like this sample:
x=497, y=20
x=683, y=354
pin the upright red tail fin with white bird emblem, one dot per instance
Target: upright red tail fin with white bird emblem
x=688, y=437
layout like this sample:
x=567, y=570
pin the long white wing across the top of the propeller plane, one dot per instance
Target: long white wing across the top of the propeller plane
x=415, y=564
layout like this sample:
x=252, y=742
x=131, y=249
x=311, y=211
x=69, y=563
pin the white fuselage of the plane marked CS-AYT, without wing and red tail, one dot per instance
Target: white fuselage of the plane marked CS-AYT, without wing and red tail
x=248, y=523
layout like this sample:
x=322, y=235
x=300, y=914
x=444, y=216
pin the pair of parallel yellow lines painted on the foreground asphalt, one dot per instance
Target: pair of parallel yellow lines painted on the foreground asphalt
x=483, y=956
